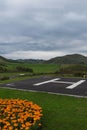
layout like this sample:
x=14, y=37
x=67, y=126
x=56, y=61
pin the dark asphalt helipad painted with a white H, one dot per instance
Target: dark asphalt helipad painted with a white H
x=68, y=86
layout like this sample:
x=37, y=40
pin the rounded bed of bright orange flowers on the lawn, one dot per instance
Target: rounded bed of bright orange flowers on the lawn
x=16, y=114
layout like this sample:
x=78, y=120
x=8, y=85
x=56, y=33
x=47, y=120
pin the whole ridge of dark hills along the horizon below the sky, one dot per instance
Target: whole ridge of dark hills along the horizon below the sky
x=67, y=59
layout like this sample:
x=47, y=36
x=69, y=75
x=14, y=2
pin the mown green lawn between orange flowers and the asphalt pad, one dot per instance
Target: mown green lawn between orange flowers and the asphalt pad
x=60, y=112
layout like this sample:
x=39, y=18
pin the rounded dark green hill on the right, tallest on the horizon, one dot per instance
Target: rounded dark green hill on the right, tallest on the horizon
x=69, y=59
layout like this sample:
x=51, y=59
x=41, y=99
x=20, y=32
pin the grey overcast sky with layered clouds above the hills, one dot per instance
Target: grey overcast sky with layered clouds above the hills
x=42, y=29
